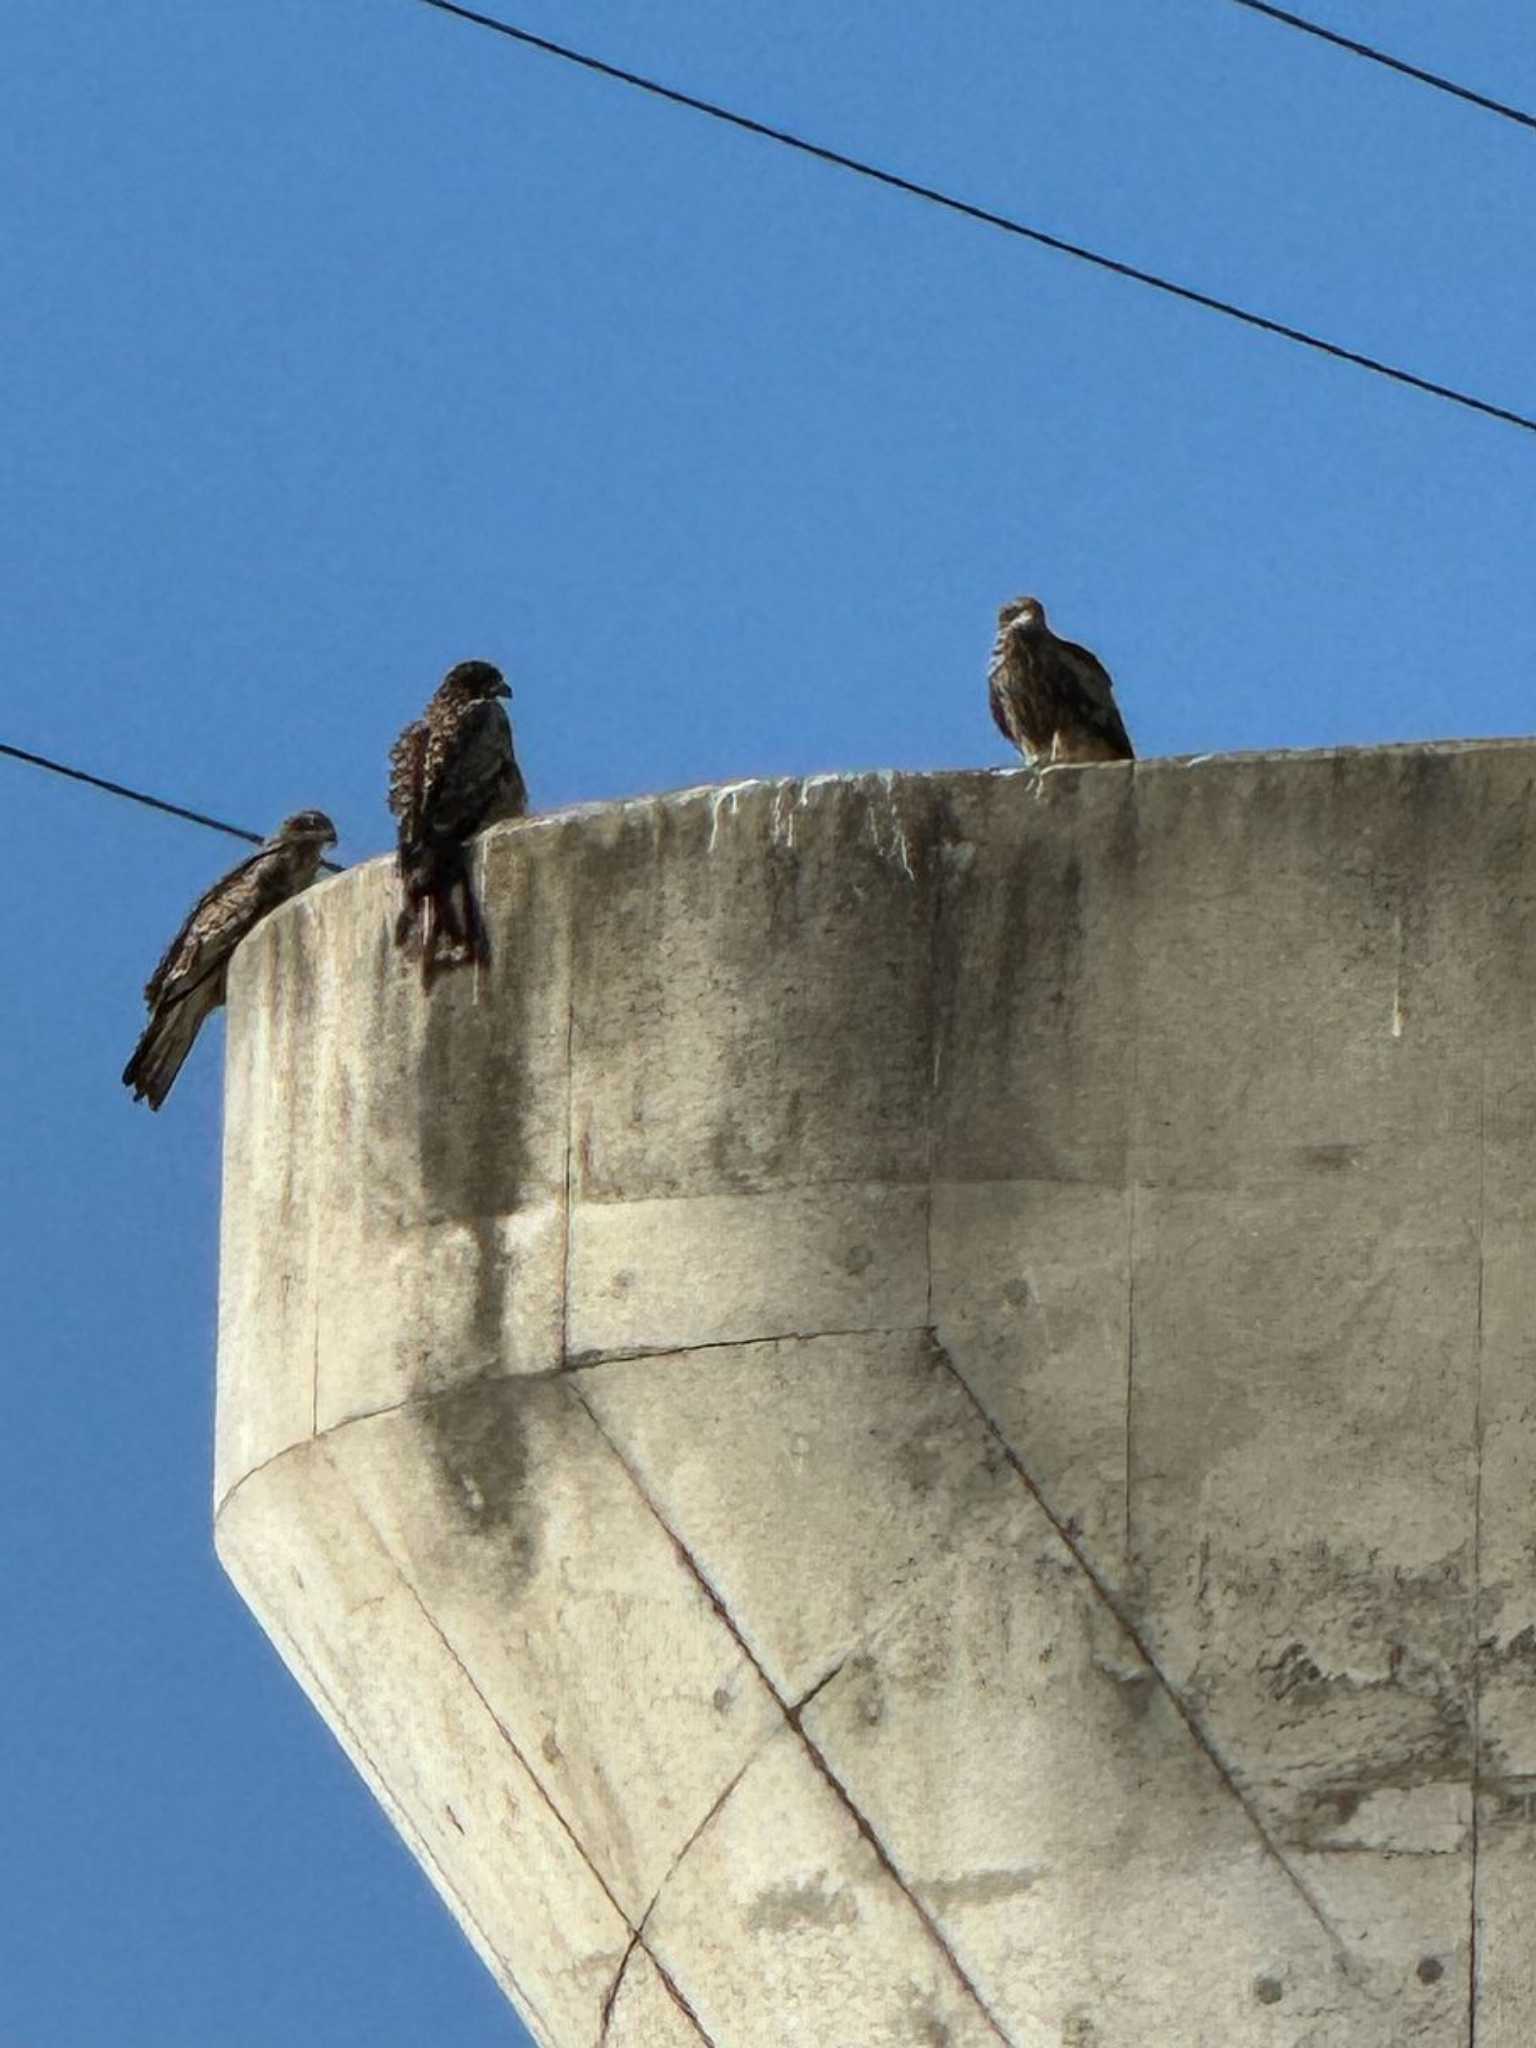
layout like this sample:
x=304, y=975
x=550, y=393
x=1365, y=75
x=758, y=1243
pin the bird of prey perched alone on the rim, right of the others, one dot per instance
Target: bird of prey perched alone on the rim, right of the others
x=1050, y=697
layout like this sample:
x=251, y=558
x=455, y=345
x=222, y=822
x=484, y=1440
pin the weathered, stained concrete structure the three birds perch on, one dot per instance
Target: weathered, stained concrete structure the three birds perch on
x=916, y=1422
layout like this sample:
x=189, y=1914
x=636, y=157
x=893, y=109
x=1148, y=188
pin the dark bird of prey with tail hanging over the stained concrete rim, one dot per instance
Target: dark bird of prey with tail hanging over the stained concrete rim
x=452, y=773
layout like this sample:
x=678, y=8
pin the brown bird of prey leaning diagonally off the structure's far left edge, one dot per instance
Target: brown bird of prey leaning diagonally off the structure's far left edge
x=189, y=982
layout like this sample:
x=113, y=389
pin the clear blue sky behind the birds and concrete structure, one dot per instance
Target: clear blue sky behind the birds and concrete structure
x=343, y=341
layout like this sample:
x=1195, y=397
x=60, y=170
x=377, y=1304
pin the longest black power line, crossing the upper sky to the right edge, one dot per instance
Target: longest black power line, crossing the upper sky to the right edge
x=982, y=214
